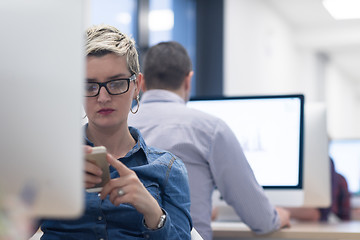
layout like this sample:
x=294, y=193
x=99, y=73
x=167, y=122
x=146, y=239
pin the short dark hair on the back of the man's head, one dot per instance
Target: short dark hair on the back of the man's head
x=166, y=65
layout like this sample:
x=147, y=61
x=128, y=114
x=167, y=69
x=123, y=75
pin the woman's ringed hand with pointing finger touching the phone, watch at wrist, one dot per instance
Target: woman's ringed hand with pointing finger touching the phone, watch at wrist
x=132, y=192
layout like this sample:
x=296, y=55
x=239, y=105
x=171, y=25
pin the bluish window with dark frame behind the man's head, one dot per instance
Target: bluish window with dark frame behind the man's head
x=196, y=24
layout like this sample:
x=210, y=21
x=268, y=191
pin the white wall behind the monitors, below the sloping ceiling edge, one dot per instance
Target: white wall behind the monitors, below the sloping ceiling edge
x=263, y=55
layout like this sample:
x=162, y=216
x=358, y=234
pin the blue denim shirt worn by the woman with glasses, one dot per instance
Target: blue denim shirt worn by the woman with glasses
x=164, y=176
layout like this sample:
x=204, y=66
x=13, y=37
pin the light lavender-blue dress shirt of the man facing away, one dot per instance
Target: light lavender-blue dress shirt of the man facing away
x=213, y=157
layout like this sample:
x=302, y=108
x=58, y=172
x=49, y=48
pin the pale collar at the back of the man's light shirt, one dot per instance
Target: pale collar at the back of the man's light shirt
x=160, y=95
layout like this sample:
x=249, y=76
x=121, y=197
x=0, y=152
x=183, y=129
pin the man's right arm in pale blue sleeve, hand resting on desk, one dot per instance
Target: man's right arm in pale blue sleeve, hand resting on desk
x=238, y=186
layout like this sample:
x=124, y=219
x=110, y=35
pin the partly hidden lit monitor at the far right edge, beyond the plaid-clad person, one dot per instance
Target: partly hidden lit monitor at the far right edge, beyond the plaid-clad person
x=346, y=156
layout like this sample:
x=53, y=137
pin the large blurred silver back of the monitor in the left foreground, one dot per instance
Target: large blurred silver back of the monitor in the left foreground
x=42, y=72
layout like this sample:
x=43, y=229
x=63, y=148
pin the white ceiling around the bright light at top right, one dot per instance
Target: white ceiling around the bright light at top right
x=314, y=28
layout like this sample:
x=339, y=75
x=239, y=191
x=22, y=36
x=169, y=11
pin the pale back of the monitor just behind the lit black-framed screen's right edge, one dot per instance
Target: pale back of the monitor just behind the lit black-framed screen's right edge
x=317, y=183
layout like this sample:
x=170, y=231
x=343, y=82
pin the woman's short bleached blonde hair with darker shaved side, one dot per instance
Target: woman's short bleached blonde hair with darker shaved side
x=104, y=39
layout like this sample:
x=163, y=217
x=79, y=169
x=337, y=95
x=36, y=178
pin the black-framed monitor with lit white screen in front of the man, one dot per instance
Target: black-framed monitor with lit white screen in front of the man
x=270, y=131
